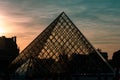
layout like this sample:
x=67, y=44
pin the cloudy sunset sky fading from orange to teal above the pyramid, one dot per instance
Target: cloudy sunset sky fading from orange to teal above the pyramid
x=98, y=20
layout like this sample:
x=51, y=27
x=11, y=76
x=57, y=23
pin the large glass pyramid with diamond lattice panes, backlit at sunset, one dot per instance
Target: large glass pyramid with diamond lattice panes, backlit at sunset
x=59, y=48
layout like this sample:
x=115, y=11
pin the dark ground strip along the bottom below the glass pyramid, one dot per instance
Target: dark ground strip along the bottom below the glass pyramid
x=73, y=77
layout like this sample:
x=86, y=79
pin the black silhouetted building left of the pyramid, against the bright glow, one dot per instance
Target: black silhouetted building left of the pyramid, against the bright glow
x=8, y=52
